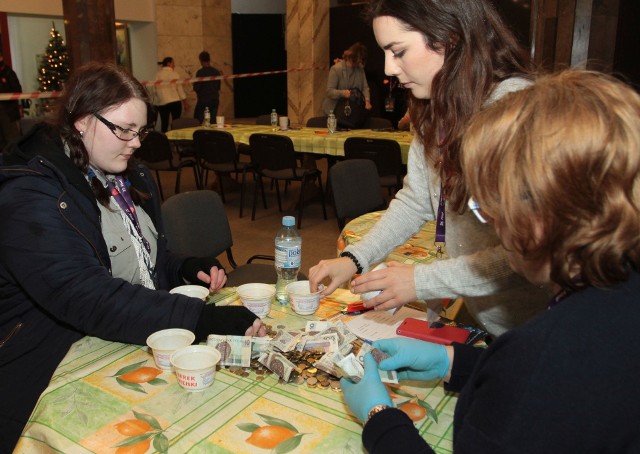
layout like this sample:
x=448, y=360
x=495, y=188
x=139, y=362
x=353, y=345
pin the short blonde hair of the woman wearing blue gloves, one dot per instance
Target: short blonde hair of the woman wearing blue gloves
x=563, y=156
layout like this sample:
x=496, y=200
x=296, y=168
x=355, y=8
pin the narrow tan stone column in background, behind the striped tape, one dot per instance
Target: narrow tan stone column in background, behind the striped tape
x=307, y=43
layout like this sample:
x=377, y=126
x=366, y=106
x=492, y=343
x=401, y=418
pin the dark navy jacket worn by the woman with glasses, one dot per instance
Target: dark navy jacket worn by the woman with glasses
x=54, y=236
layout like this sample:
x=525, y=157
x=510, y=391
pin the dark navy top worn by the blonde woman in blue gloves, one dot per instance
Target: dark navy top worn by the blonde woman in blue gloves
x=565, y=382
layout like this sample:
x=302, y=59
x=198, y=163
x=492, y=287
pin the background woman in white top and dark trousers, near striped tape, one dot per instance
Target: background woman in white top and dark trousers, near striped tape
x=170, y=95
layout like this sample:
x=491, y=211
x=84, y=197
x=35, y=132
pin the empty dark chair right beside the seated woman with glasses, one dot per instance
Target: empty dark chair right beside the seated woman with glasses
x=196, y=225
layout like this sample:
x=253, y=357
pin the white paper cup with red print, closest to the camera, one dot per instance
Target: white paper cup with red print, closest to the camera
x=195, y=366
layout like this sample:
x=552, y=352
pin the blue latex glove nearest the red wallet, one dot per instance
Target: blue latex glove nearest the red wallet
x=414, y=359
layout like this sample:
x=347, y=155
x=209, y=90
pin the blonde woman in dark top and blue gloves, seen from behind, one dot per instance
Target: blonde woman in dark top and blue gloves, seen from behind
x=556, y=169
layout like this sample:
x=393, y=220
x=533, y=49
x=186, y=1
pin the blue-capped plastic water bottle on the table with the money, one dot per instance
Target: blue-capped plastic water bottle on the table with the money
x=288, y=254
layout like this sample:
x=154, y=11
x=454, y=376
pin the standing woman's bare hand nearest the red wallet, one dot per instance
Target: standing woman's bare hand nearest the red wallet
x=396, y=282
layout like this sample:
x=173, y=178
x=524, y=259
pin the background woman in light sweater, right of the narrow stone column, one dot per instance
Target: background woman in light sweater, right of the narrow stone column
x=346, y=74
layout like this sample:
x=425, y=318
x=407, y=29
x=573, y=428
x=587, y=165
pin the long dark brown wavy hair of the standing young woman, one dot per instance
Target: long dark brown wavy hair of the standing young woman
x=479, y=51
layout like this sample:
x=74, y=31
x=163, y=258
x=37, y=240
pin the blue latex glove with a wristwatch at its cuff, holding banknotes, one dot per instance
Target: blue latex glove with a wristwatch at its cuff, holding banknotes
x=369, y=392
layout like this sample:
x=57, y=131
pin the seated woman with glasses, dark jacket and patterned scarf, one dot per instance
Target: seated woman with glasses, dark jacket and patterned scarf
x=82, y=251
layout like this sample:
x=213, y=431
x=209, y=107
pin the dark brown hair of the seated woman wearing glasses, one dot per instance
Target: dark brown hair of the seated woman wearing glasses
x=93, y=88
